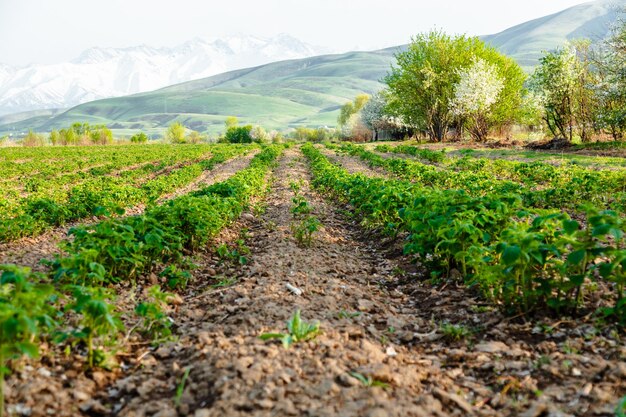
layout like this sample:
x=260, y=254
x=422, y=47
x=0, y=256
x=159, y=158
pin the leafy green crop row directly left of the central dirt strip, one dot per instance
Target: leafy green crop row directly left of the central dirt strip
x=73, y=303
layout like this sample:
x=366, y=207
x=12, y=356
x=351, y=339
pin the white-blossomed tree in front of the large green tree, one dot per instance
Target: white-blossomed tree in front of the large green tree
x=475, y=94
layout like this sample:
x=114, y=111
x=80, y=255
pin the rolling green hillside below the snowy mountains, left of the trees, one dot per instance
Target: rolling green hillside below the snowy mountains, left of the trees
x=283, y=94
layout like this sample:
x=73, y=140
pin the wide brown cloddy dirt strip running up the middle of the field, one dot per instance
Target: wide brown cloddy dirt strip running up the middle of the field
x=378, y=318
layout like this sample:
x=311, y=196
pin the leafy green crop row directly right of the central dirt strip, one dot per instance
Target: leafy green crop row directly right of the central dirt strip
x=522, y=259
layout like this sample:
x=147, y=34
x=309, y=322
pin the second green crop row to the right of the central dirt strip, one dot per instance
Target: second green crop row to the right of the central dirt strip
x=603, y=191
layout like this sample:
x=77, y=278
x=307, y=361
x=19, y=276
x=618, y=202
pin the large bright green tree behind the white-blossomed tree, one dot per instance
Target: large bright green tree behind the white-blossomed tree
x=422, y=85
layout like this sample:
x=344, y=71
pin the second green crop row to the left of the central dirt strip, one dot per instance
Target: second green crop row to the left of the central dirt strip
x=103, y=195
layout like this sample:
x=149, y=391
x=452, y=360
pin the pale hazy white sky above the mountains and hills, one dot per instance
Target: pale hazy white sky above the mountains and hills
x=48, y=31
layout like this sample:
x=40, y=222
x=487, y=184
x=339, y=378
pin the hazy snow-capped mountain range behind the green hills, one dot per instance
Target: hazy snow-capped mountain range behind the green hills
x=111, y=72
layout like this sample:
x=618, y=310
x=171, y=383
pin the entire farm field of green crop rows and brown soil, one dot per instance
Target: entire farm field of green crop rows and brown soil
x=157, y=280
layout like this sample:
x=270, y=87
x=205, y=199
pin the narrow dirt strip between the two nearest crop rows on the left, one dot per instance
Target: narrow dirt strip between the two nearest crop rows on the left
x=29, y=251
